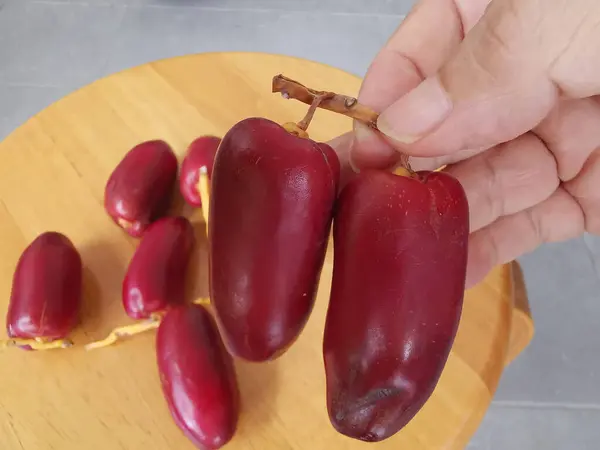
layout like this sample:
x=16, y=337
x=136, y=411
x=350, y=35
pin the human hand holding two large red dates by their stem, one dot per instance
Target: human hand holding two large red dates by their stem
x=512, y=108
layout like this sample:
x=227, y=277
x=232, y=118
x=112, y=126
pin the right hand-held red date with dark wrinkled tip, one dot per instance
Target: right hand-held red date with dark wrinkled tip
x=400, y=256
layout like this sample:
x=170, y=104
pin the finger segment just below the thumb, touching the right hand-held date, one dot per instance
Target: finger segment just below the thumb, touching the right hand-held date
x=506, y=179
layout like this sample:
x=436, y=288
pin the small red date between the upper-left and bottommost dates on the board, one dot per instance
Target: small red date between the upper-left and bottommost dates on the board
x=155, y=278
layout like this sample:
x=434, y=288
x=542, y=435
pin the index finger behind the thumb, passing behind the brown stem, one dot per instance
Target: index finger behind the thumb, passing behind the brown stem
x=421, y=44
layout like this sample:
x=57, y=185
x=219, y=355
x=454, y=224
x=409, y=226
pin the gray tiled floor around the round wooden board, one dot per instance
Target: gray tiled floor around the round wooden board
x=549, y=398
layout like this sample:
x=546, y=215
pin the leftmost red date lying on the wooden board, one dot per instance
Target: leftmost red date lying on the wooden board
x=46, y=293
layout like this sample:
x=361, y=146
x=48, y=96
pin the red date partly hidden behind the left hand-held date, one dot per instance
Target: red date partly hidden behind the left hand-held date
x=201, y=152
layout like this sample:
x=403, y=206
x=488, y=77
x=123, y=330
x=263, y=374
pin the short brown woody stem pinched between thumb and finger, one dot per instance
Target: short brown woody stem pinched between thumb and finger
x=338, y=103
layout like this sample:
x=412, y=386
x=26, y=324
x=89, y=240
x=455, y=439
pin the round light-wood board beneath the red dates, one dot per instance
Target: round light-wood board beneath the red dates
x=52, y=174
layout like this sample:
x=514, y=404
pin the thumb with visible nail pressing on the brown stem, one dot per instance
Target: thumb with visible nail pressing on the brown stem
x=503, y=79
